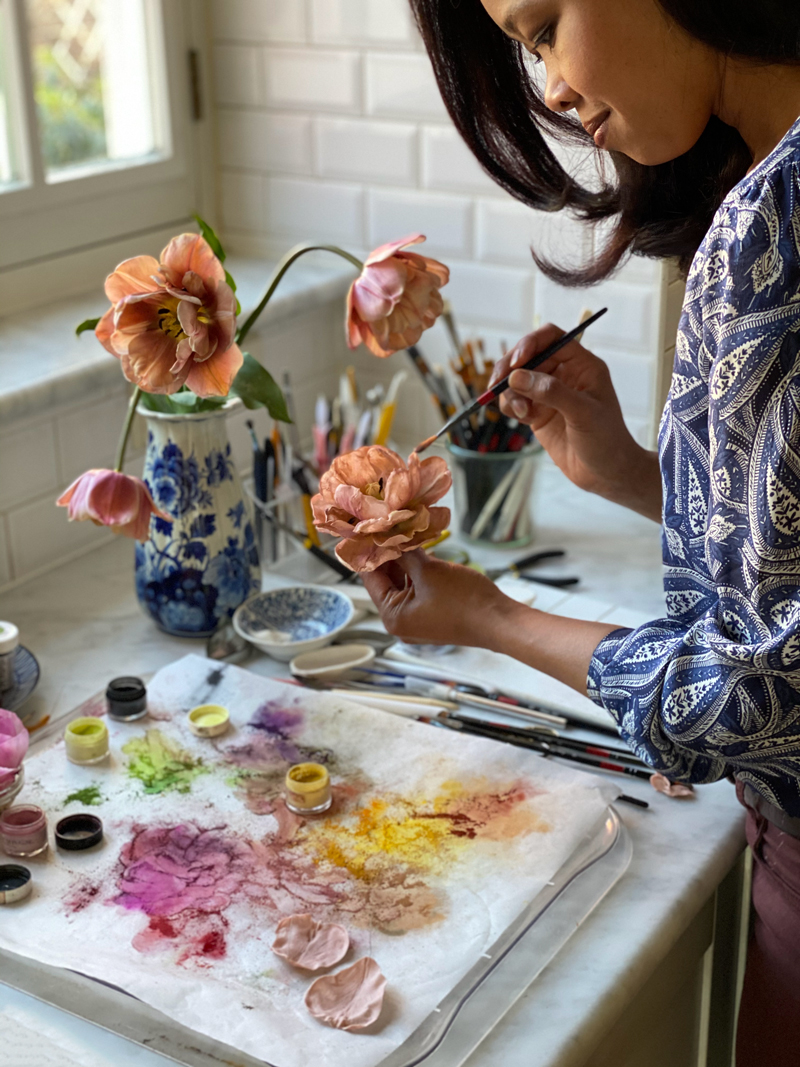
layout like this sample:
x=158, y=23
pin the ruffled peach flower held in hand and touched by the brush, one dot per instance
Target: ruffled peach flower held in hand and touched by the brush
x=379, y=506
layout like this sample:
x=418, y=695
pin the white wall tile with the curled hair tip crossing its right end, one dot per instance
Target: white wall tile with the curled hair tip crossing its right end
x=507, y=231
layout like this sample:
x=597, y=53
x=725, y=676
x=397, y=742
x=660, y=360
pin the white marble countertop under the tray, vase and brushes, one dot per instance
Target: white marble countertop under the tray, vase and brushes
x=85, y=626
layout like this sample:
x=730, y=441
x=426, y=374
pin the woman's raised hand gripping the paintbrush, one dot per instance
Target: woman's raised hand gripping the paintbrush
x=572, y=407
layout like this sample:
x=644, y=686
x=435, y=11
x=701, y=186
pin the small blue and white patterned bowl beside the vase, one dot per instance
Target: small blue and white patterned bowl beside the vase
x=285, y=623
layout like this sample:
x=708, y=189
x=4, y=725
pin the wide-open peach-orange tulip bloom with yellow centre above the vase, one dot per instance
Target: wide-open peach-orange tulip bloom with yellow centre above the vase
x=173, y=323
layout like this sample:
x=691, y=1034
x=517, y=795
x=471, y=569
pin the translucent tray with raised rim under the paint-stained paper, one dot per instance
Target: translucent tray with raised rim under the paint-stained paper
x=450, y=1034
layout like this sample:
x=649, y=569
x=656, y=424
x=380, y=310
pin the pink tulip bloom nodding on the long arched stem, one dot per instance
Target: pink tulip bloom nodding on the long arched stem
x=395, y=298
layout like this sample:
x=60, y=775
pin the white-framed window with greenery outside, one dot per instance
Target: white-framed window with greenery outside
x=101, y=140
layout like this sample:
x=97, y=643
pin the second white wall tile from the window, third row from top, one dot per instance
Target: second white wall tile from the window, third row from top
x=366, y=152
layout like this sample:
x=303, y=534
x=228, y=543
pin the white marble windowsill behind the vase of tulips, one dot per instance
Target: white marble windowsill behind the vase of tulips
x=43, y=363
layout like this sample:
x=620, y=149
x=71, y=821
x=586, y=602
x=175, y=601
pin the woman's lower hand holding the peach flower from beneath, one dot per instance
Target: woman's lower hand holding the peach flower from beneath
x=426, y=601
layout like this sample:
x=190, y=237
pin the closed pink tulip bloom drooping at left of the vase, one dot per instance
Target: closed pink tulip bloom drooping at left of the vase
x=114, y=500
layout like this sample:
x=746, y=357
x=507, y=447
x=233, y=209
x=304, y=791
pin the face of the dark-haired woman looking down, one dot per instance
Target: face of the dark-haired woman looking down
x=639, y=84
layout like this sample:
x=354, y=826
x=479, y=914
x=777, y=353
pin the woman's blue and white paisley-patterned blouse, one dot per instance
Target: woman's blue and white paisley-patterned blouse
x=714, y=689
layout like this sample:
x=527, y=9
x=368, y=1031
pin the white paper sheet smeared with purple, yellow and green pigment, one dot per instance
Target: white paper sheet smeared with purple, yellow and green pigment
x=435, y=843
